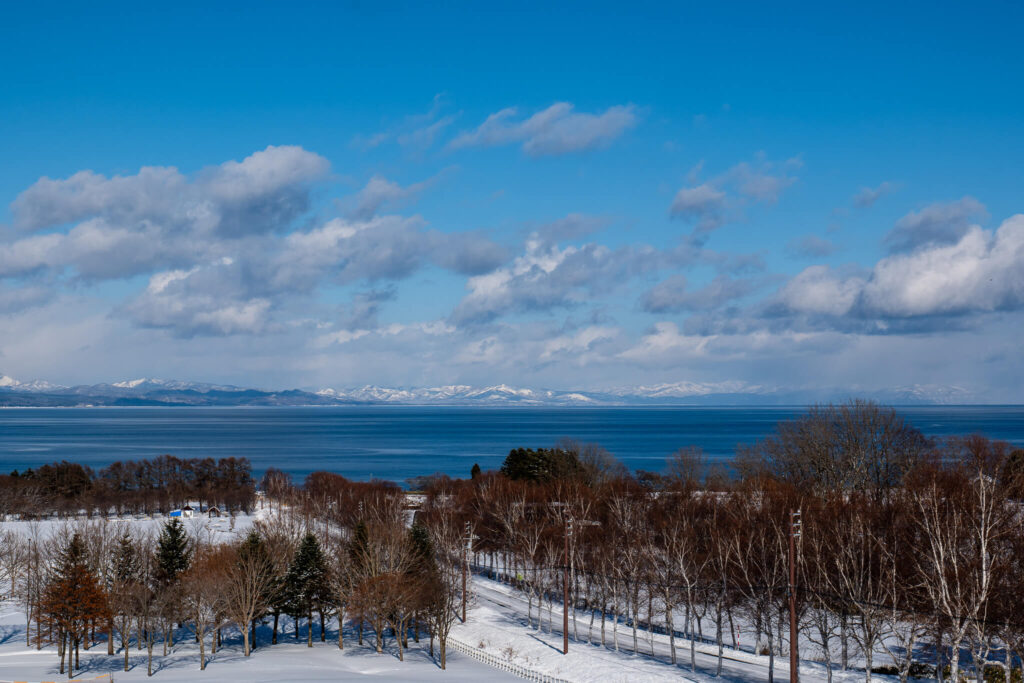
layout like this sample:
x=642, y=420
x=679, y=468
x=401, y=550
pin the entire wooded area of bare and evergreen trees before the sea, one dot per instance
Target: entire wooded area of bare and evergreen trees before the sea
x=911, y=557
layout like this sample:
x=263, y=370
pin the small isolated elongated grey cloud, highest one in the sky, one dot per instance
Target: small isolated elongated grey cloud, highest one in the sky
x=557, y=131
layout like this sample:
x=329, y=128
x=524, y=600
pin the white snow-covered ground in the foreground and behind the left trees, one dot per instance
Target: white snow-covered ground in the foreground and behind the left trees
x=497, y=626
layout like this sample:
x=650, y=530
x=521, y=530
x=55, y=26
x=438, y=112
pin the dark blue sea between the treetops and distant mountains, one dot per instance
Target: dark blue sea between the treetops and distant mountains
x=396, y=443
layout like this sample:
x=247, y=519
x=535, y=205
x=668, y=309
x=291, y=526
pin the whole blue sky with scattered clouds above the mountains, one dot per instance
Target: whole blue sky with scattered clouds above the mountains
x=588, y=196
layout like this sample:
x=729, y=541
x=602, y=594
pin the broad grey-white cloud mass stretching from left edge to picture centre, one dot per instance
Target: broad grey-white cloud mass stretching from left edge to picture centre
x=223, y=248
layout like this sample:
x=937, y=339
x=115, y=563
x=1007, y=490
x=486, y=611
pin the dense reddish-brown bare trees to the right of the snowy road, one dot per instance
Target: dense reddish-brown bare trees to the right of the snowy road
x=910, y=557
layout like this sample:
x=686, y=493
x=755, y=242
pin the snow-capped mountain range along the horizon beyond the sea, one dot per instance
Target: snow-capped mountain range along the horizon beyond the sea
x=147, y=392
